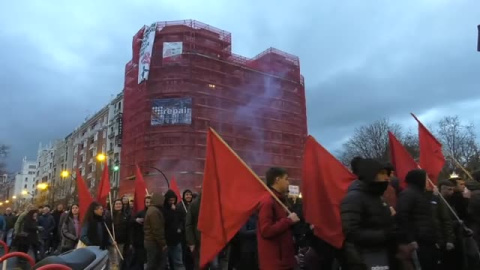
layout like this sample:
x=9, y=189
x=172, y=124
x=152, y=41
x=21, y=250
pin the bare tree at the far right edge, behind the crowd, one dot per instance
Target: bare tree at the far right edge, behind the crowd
x=460, y=142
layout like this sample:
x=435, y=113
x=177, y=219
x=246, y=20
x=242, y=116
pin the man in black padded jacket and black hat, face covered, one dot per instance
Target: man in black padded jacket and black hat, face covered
x=367, y=220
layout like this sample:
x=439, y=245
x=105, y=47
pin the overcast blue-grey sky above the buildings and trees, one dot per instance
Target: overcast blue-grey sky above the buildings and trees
x=362, y=59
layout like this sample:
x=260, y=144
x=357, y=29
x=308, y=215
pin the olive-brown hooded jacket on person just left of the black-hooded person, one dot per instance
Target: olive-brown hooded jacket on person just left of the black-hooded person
x=154, y=224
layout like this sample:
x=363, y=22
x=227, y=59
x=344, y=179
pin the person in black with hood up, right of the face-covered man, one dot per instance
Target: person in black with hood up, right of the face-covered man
x=415, y=219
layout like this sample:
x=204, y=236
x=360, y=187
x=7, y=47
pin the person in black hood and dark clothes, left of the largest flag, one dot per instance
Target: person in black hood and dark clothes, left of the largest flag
x=173, y=231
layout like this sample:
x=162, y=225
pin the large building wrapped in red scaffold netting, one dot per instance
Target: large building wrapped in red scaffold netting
x=190, y=80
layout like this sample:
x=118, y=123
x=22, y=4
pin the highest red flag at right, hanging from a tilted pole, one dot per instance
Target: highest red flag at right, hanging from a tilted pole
x=431, y=156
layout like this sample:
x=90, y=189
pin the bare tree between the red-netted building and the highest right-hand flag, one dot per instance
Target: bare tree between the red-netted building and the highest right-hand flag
x=371, y=141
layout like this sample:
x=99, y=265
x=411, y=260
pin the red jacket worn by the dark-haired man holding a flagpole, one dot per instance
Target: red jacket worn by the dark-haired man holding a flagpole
x=276, y=250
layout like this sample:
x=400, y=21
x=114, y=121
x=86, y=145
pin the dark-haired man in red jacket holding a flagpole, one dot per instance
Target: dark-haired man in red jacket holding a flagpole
x=276, y=250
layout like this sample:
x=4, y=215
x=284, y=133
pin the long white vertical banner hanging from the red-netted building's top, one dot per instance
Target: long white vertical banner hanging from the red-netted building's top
x=146, y=52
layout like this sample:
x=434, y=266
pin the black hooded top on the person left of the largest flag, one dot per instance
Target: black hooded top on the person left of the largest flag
x=173, y=220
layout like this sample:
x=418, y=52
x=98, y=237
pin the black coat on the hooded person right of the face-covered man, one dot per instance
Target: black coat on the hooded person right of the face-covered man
x=415, y=216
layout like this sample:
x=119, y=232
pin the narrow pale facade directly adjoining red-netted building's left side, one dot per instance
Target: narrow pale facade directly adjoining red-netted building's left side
x=114, y=141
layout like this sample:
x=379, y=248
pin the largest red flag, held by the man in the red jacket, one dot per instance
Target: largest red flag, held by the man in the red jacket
x=230, y=195
